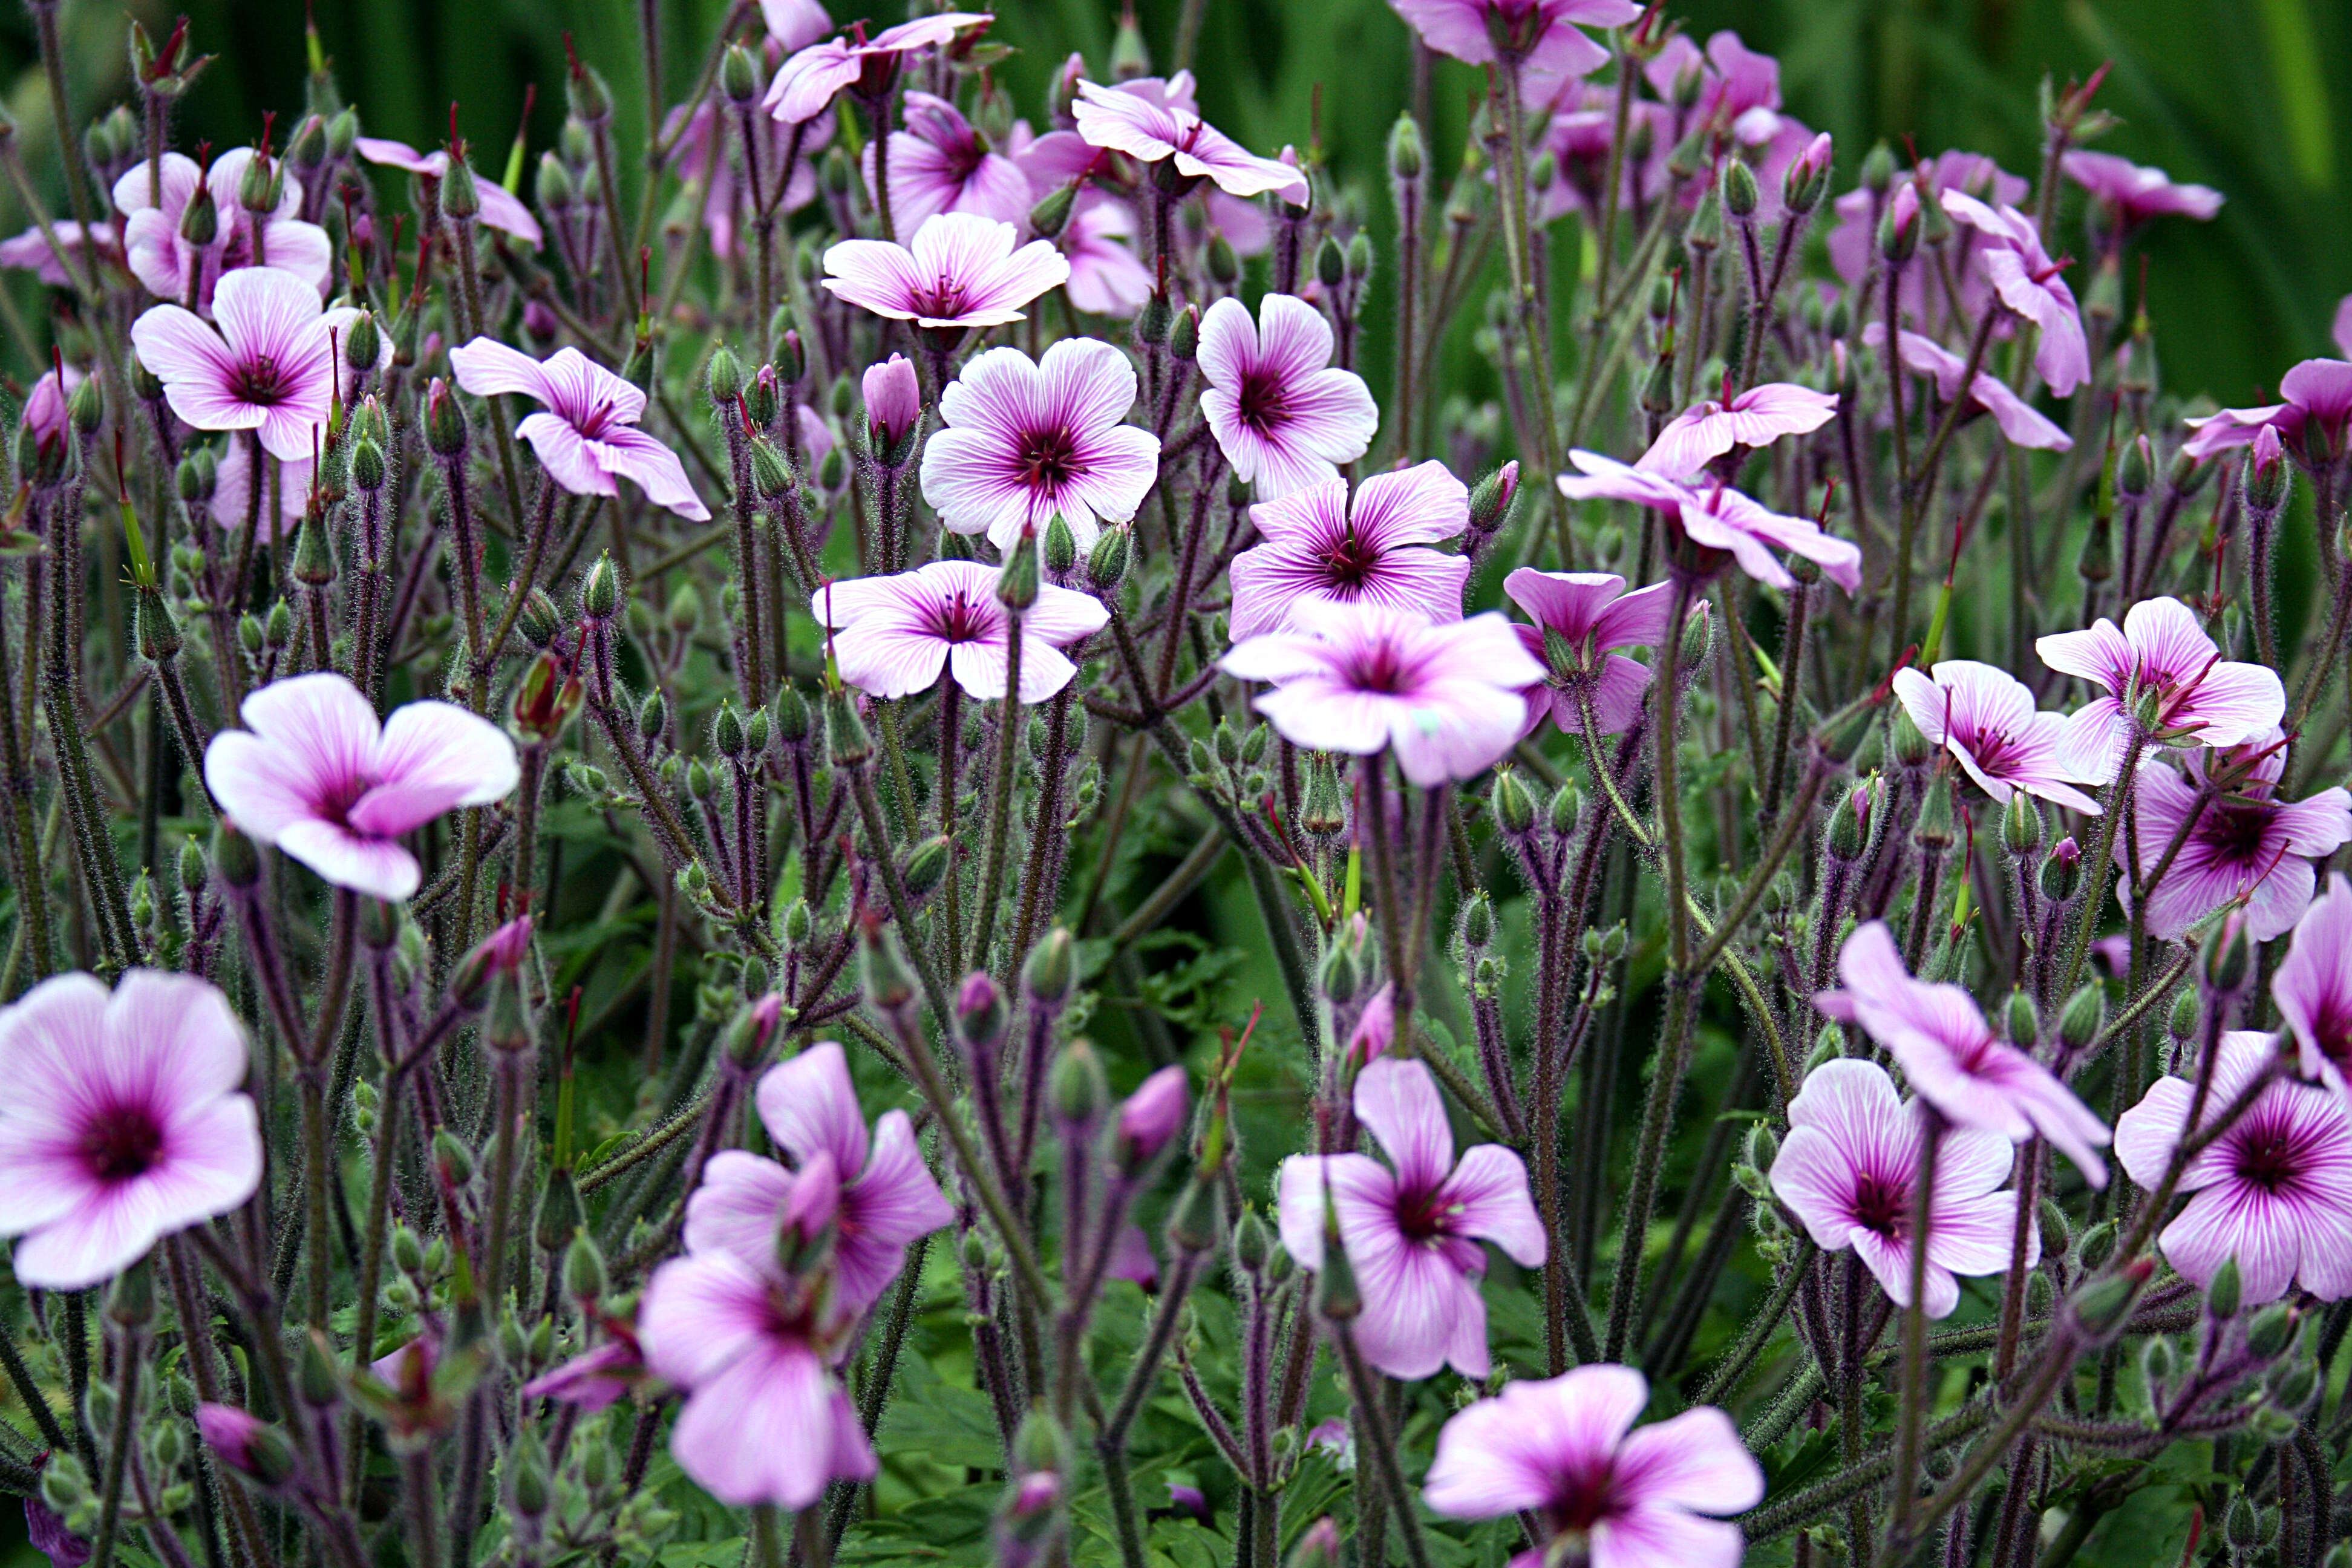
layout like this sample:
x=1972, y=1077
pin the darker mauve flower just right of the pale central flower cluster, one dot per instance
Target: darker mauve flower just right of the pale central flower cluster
x=1579, y=619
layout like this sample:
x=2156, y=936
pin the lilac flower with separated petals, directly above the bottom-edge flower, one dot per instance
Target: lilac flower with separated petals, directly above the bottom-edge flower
x=1412, y=1228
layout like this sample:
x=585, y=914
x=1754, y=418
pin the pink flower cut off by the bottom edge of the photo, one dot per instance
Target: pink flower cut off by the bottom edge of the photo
x=1565, y=1449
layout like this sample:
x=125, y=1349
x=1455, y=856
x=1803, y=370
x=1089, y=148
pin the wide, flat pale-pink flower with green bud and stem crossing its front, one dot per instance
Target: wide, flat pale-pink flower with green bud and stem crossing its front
x=893, y=636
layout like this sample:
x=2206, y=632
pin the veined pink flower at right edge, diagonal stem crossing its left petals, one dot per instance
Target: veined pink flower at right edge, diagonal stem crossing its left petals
x=2276, y=1191
